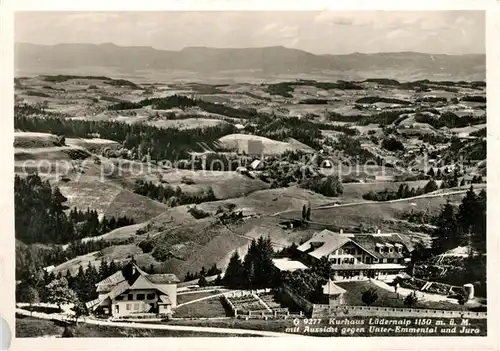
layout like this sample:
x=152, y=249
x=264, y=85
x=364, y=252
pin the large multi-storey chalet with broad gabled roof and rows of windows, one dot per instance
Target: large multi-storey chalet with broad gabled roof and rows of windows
x=358, y=256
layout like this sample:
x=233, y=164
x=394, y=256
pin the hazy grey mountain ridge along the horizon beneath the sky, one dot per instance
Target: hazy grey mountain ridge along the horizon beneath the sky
x=264, y=61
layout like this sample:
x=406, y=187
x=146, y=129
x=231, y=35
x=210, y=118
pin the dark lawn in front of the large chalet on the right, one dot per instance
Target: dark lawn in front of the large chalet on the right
x=388, y=298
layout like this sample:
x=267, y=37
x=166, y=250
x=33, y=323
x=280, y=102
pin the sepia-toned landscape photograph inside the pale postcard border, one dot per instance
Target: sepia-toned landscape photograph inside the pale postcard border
x=250, y=174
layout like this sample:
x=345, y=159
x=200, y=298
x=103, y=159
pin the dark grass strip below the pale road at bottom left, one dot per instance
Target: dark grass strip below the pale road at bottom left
x=27, y=327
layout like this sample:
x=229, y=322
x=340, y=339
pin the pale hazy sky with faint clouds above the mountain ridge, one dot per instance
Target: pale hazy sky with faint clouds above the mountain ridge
x=449, y=32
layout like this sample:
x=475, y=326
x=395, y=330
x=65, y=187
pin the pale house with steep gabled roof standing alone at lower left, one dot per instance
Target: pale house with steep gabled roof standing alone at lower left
x=132, y=291
